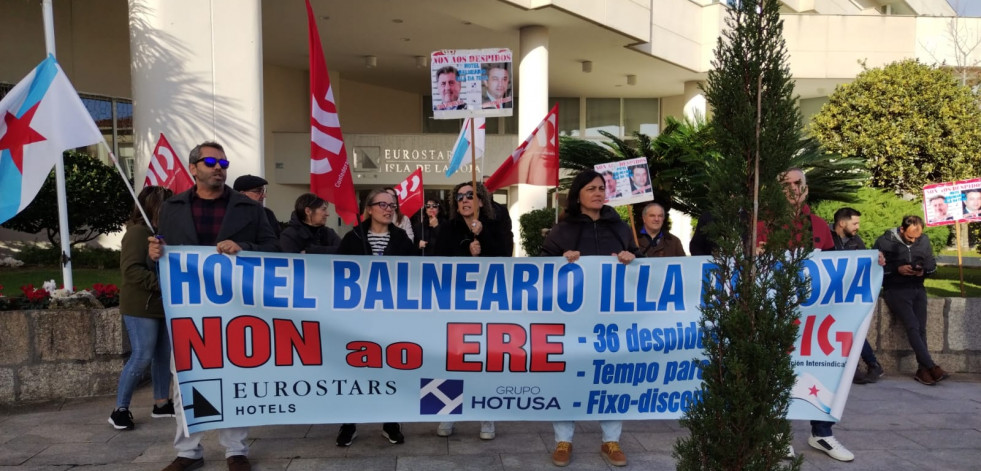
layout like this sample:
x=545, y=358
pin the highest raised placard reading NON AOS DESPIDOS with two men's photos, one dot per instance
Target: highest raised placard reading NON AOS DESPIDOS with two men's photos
x=471, y=83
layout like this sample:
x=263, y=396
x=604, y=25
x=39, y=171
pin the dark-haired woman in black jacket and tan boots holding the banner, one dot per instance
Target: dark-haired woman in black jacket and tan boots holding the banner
x=590, y=228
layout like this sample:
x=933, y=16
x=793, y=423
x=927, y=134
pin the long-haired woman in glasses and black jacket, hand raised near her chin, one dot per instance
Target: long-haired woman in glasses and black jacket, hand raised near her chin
x=474, y=230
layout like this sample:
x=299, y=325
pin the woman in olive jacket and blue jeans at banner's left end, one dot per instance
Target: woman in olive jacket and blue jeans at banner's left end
x=142, y=308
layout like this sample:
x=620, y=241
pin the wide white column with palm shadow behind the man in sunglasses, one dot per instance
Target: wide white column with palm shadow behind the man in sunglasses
x=197, y=76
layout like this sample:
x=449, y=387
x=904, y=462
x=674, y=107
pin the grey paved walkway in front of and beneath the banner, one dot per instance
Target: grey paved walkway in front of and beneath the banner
x=894, y=425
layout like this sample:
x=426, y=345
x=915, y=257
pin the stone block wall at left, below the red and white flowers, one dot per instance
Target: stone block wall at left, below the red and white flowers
x=55, y=354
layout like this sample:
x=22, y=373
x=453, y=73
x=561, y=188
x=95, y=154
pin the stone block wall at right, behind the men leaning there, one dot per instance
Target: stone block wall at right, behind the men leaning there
x=953, y=336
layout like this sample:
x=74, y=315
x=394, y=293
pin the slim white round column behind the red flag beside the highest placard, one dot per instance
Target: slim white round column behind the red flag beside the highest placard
x=532, y=107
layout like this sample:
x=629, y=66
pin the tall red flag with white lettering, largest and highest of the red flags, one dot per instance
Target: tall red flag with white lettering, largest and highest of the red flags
x=330, y=173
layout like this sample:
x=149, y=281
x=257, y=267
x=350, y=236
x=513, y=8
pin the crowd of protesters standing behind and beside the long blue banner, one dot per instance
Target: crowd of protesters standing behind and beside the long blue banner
x=233, y=219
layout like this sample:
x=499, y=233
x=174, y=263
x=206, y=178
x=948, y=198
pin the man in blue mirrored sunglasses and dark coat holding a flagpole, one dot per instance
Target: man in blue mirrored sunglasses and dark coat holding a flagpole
x=211, y=213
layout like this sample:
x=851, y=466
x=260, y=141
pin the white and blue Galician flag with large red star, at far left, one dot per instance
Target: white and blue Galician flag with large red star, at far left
x=42, y=117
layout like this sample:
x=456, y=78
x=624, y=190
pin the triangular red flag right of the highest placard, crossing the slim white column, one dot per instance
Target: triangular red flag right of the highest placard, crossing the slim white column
x=535, y=161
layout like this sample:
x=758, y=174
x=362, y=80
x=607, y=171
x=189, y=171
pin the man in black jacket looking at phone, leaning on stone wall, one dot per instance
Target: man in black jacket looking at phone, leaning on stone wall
x=909, y=259
